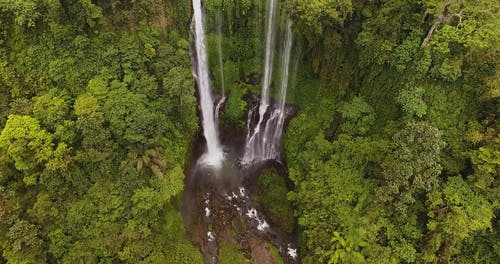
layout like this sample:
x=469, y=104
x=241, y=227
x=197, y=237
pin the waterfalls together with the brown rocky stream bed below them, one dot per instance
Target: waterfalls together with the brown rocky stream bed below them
x=214, y=205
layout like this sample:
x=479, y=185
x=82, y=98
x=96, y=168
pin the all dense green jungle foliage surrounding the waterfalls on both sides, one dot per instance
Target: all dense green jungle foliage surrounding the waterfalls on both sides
x=394, y=155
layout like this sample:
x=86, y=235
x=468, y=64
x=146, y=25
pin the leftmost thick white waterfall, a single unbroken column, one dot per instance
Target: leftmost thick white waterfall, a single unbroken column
x=214, y=154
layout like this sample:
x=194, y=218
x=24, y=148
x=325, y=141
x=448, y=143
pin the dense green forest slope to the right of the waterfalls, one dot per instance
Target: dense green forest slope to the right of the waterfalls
x=386, y=163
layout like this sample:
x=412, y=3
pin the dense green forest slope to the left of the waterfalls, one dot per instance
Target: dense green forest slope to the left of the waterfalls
x=97, y=114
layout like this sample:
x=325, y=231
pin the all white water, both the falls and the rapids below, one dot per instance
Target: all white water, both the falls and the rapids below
x=264, y=142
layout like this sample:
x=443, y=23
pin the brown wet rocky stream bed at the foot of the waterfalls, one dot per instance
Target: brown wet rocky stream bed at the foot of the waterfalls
x=219, y=209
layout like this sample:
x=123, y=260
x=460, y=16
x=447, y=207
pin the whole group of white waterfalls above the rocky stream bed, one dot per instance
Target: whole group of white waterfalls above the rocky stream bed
x=263, y=138
